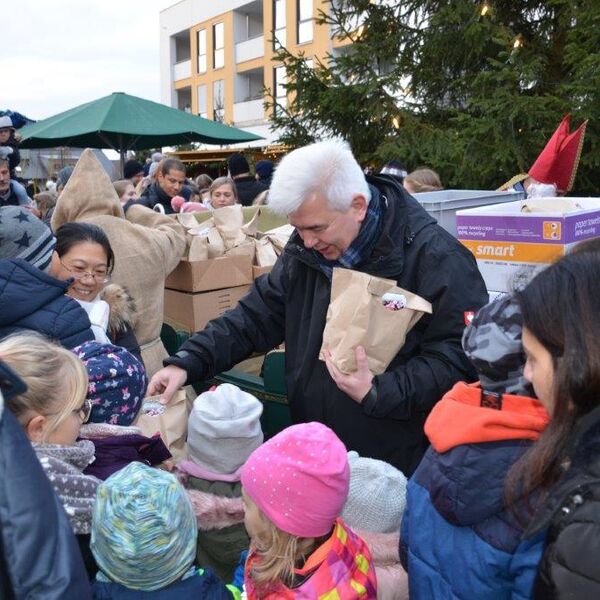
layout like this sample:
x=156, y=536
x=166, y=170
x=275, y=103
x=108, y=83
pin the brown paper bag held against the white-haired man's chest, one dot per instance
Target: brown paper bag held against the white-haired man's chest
x=357, y=317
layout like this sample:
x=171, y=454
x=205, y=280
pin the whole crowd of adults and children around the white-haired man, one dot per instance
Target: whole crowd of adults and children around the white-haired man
x=468, y=469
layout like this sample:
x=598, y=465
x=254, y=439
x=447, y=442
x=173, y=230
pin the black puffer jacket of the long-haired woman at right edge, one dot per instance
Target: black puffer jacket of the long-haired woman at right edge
x=570, y=566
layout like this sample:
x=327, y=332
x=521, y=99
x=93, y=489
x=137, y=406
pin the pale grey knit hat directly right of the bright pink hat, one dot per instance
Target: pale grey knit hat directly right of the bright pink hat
x=377, y=495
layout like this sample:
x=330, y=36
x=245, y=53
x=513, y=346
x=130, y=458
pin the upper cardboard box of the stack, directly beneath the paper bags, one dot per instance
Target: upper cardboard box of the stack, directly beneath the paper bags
x=212, y=274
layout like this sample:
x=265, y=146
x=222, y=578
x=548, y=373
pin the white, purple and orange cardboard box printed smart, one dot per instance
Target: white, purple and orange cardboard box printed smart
x=511, y=246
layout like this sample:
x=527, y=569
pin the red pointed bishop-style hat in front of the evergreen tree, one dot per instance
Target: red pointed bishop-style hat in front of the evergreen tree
x=557, y=163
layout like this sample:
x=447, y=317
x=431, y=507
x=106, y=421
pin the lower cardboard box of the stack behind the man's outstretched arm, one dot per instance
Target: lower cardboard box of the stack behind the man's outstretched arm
x=191, y=312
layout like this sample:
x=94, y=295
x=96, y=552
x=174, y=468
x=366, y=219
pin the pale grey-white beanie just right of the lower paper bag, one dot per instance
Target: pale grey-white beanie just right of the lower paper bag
x=224, y=429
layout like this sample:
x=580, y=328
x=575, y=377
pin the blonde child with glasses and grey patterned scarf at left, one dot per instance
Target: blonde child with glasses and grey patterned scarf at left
x=51, y=411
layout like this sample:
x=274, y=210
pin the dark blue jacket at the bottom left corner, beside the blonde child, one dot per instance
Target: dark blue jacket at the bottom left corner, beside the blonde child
x=39, y=557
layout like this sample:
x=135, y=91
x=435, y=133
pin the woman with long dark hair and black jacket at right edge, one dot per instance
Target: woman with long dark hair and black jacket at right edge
x=561, y=336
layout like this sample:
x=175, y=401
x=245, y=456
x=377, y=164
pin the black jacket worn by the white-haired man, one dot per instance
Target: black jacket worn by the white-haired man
x=291, y=304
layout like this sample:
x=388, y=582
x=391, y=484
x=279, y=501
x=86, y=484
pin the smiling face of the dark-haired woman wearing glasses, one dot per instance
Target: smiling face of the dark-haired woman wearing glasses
x=87, y=264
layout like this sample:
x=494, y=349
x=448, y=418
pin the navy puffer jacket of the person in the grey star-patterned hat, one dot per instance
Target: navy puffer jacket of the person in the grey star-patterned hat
x=33, y=300
